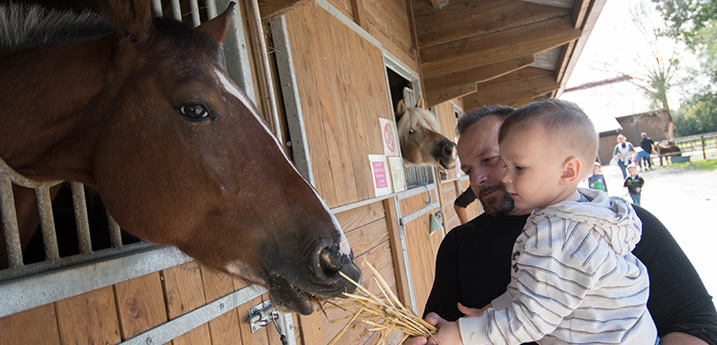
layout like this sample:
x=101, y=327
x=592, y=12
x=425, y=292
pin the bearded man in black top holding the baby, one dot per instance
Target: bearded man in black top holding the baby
x=473, y=262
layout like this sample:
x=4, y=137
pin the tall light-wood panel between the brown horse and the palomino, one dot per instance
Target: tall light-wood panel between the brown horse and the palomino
x=341, y=82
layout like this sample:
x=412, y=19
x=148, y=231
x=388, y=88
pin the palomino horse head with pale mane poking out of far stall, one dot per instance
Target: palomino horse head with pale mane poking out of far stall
x=421, y=143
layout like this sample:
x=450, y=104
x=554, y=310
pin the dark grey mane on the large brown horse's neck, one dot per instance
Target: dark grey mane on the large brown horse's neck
x=22, y=24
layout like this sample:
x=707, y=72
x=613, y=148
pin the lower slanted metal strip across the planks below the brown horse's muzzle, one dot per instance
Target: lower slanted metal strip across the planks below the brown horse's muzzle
x=172, y=329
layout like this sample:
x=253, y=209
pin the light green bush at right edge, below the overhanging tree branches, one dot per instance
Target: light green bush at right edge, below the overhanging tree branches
x=697, y=115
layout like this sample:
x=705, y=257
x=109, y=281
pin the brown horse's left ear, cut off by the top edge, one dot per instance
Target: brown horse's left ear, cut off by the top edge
x=131, y=19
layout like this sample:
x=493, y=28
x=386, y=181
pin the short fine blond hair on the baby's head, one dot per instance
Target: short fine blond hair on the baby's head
x=565, y=124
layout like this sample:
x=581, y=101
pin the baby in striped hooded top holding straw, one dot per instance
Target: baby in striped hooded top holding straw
x=574, y=279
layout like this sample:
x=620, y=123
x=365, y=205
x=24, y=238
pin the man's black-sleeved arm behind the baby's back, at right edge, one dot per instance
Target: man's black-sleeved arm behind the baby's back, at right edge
x=679, y=302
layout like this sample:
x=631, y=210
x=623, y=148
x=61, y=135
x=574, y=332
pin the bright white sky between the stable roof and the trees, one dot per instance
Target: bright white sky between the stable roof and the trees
x=616, y=45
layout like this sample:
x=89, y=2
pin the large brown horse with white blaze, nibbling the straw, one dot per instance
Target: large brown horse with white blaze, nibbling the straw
x=179, y=155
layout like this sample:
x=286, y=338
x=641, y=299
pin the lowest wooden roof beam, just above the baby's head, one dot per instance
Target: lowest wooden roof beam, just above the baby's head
x=504, y=93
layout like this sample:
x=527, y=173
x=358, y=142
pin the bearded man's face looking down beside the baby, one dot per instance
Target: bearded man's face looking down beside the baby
x=478, y=152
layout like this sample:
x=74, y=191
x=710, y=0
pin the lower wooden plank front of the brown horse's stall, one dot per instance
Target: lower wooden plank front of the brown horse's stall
x=119, y=312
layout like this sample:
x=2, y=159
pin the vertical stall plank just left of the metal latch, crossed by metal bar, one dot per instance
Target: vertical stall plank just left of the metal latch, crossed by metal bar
x=225, y=328
